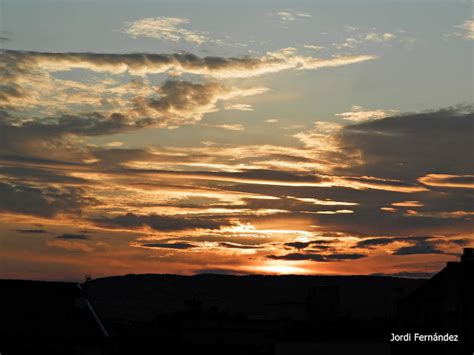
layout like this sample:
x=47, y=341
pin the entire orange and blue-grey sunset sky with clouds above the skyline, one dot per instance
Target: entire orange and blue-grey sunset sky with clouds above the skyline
x=272, y=137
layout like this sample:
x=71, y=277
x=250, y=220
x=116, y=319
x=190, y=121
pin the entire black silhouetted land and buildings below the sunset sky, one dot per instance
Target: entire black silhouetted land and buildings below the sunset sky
x=221, y=314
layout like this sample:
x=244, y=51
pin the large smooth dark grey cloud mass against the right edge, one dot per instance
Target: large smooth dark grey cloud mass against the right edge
x=410, y=146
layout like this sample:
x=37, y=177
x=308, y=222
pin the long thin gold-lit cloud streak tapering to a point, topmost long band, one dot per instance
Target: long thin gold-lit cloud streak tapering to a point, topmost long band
x=20, y=62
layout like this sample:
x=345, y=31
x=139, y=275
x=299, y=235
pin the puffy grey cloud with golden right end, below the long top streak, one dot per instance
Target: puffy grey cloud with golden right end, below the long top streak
x=180, y=102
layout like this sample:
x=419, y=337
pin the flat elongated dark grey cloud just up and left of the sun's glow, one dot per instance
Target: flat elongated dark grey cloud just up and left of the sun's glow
x=159, y=223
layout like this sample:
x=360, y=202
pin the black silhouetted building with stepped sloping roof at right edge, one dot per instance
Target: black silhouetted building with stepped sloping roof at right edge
x=444, y=304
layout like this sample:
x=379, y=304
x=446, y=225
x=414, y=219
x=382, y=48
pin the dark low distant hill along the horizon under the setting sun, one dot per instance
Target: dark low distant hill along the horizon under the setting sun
x=142, y=297
